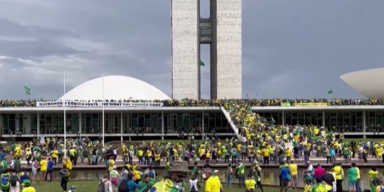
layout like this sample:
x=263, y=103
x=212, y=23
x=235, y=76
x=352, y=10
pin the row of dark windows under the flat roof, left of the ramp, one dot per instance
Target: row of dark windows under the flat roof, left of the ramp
x=92, y=122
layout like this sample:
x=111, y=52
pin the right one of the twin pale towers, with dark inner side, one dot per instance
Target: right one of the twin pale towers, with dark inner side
x=226, y=49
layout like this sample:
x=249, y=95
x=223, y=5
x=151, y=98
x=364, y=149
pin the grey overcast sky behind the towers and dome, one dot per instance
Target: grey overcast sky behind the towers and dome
x=291, y=48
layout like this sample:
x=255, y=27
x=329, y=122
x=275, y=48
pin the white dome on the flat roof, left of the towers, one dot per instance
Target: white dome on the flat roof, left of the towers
x=115, y=87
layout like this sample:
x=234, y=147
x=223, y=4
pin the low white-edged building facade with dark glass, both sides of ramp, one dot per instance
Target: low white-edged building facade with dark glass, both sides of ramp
x=152, y=119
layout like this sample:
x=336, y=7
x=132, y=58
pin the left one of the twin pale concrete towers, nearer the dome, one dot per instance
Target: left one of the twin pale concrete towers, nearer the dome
x=185, y=49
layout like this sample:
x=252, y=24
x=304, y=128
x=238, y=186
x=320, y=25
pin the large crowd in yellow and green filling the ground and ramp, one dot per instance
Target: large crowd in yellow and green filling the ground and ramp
x=270, y=144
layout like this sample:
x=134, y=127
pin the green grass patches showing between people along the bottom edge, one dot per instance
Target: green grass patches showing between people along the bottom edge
x=88, y=186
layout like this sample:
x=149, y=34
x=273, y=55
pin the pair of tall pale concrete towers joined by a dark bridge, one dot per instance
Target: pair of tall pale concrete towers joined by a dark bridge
x=222, y=31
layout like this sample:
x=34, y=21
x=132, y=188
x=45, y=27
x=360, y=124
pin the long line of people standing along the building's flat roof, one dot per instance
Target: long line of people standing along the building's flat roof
x=214, y=102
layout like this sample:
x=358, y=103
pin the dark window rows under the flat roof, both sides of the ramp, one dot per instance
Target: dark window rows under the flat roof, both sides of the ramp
x=92, y=122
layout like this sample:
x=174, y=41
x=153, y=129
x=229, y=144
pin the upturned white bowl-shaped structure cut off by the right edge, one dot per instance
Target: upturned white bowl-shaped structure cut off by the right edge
x=366, y=82
